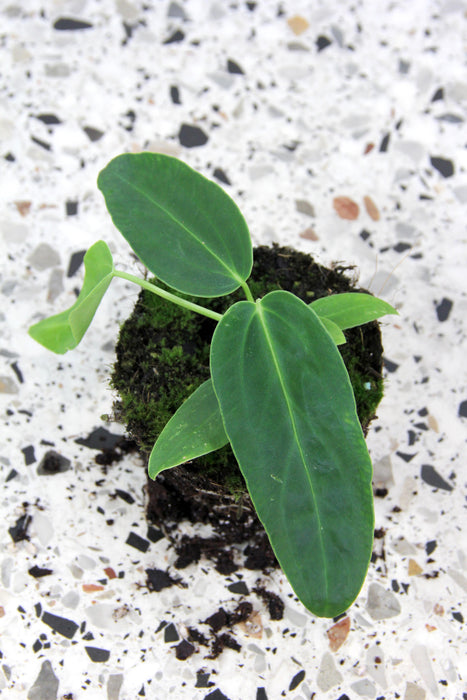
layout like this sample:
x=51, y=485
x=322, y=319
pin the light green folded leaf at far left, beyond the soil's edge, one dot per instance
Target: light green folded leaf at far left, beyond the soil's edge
x=64, y=331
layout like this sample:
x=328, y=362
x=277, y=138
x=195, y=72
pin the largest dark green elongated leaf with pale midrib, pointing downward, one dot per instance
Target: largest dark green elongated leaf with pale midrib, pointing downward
x=289, y=412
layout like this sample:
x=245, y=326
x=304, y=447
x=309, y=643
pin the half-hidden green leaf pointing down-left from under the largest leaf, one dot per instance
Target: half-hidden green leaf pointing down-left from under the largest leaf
x=195, y=429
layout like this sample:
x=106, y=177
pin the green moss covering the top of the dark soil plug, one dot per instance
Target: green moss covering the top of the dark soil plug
x=163, y=355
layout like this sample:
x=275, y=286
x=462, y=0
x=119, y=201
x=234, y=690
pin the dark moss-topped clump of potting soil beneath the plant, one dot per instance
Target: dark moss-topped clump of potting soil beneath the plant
x=163, y=356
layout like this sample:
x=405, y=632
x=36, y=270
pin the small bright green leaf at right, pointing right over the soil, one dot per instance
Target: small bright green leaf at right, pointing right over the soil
x=351, y=308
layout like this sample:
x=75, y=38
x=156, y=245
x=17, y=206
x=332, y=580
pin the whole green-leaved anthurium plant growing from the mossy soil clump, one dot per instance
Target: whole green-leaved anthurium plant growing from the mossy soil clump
x=279, y=391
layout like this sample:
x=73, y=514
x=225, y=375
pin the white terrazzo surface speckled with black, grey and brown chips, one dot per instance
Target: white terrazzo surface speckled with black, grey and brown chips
x=339, y=129
